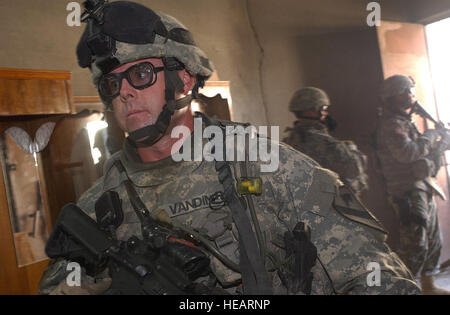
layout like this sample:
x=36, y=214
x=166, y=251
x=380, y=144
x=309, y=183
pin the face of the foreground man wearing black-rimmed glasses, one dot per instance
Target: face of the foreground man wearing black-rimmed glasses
x=134, y=108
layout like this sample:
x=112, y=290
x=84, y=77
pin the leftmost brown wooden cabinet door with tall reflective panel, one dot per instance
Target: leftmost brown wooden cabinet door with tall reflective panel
x=24, y=224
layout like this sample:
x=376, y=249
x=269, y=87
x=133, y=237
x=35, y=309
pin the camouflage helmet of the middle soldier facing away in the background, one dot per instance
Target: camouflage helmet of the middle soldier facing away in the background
x=308, y=98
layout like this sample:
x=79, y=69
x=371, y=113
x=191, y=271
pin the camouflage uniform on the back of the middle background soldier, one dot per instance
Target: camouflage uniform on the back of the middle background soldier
x=343, y=157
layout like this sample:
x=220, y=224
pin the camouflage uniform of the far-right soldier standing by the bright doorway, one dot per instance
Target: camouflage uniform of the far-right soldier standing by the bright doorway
x=402, y=151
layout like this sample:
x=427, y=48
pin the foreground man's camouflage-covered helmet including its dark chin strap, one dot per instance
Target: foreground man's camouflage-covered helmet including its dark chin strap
x=124, y=31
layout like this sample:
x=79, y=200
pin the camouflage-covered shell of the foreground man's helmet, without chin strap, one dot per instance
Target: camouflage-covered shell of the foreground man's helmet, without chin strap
x=128, y=31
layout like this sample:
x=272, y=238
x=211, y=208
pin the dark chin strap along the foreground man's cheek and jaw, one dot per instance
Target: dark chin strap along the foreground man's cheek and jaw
x=149, y=135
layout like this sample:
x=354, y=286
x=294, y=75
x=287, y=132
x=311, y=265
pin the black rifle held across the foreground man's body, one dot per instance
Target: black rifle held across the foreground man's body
x=135, y=266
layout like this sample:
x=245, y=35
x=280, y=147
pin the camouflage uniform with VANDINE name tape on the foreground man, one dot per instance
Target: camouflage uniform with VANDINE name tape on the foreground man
x=348, y=238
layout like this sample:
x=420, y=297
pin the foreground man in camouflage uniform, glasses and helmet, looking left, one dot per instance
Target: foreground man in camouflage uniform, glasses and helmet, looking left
x=345, y=236
